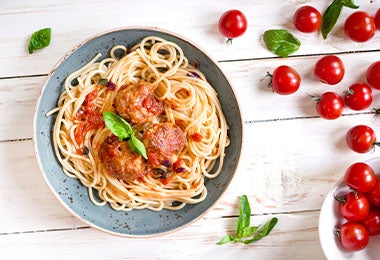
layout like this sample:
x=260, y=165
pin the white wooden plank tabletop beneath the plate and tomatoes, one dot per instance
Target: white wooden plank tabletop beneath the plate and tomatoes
x=291, y=158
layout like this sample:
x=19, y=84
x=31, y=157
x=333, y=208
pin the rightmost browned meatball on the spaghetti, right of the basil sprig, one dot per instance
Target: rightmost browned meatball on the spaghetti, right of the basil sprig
x=163, y=143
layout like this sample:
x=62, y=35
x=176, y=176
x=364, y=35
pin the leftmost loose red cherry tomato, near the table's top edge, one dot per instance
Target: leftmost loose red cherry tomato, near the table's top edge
x=232, y=24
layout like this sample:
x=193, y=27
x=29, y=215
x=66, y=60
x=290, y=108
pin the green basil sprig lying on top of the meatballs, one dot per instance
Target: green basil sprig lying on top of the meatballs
x=123, y=130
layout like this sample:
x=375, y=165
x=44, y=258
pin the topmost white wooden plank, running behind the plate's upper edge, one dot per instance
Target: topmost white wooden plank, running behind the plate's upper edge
x=198, y=22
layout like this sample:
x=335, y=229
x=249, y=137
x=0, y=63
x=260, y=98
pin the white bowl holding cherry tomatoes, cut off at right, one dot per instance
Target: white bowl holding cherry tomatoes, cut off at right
x=330, y=218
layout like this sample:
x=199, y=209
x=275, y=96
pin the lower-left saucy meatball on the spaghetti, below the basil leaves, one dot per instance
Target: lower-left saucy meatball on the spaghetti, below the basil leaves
x=119, y=160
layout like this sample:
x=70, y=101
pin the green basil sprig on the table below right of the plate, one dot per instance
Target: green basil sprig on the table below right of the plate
x=244, y=232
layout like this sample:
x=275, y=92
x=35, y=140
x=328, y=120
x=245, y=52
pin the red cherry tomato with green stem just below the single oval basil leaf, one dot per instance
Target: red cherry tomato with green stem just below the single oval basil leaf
x=285, y=80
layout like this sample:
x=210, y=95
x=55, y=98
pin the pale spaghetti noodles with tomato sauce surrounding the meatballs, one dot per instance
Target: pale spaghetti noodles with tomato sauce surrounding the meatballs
x=189, y=101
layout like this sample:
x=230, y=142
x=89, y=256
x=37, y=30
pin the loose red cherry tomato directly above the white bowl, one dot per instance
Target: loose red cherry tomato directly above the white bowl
x=361, y=138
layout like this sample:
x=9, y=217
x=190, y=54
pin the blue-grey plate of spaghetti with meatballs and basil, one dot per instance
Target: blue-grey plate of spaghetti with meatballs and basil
x=137, y=131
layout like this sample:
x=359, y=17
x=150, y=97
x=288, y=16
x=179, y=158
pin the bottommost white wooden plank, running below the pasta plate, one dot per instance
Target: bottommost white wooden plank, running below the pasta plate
x=294, y=237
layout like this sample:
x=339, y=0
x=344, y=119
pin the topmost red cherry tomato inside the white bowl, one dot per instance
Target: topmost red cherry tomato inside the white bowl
x=360, y=177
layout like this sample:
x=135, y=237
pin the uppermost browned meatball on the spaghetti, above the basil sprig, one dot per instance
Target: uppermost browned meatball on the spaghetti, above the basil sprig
x=137, y=104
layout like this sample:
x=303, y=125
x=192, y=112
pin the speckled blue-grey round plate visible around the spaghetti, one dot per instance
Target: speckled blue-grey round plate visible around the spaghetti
x=74, y=195
